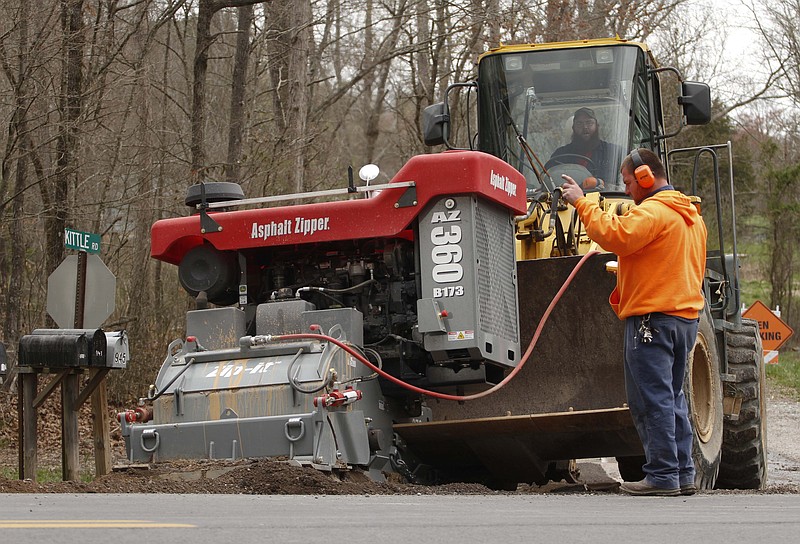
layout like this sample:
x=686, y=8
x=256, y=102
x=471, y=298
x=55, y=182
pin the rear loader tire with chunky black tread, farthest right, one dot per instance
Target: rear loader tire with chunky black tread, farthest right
x=744, y=443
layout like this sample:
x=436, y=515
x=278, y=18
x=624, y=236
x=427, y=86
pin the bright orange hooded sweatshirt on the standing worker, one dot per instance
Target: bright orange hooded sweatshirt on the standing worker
x=661, y=245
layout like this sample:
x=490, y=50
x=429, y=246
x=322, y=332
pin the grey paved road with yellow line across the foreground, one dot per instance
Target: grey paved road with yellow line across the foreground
x=201, y=519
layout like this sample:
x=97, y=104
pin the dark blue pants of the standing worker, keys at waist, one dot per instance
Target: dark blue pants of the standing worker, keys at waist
x=654, y=374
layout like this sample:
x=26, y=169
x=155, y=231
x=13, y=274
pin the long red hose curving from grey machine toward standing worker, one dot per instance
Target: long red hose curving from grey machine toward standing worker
x=436, y=394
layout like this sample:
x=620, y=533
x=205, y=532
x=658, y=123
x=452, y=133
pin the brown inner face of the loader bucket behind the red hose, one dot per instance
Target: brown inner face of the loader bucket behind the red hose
x=577, y=362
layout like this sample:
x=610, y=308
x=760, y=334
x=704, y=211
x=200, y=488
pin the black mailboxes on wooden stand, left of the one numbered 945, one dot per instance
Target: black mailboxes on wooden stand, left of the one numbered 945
x=63, y=348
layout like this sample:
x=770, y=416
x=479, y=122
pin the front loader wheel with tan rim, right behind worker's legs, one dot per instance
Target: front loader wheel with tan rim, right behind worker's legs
x=703, y=389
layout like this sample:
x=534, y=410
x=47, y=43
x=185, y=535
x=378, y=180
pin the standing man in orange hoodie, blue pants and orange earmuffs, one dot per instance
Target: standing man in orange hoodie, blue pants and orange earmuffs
x=661, y=246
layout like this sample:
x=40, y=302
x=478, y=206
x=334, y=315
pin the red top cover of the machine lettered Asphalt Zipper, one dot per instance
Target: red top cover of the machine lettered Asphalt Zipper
x=448, y=173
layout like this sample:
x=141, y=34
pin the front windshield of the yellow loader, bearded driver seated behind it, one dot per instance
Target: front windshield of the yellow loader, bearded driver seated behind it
x=575, y=108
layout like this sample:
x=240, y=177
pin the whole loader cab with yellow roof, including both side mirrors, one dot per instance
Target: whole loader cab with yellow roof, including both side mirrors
x=571, y=107
